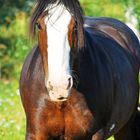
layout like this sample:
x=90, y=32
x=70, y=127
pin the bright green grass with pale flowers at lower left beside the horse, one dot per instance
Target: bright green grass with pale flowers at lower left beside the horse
x=12, y=117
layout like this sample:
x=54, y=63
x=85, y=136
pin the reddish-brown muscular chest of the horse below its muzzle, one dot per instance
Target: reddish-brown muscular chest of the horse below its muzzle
x=72, y=121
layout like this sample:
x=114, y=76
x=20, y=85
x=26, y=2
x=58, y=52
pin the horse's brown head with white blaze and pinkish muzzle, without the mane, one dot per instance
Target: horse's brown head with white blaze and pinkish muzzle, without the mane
x=58, y=40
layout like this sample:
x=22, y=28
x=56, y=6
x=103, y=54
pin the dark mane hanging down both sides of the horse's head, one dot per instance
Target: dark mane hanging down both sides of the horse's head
x=73, y=6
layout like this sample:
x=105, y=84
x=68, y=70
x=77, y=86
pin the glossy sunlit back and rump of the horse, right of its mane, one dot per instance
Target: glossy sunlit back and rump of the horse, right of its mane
x=116, y=30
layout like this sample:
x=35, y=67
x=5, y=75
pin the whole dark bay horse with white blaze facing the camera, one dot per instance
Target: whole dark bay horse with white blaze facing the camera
x=81, y=81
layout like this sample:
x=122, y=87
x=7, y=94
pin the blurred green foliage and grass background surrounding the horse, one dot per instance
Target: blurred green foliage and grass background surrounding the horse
x=15, y=45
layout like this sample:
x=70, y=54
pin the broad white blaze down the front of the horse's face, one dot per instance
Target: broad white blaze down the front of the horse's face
x=57, y=23
